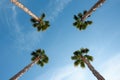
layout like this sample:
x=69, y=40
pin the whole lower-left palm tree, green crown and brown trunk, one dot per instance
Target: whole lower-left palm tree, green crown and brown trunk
x=38, y=57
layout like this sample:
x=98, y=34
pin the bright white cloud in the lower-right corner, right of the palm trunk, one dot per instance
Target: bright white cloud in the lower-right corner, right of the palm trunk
x=111, y=68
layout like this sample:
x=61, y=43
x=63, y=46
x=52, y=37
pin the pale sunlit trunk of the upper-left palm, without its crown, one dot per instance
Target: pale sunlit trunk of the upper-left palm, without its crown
x=20, y=5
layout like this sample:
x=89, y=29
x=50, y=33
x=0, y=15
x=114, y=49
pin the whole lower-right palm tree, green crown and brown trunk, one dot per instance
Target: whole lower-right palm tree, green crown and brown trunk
x=81, y=58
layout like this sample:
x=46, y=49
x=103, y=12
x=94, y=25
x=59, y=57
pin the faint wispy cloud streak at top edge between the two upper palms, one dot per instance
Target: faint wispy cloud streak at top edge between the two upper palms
x=57, y=7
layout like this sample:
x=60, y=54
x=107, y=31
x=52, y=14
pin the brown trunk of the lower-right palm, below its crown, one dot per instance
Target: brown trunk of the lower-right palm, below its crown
x=97, y=74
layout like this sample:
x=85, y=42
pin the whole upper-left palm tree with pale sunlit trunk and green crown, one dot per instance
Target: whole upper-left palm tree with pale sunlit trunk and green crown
x=38, y=22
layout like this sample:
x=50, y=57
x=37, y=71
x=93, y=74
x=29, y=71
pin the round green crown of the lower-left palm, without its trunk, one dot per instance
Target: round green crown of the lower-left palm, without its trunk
x=40, y=54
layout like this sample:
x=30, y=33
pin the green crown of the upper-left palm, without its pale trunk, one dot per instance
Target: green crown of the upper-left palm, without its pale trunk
x=40, y=24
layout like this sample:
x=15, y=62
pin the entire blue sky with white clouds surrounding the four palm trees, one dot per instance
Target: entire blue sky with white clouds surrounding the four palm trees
x=19, y=39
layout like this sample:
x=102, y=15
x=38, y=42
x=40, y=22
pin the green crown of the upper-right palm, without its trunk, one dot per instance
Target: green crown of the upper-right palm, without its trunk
x=81, y=25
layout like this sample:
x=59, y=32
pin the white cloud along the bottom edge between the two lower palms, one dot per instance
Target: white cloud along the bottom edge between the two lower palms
x=64, y=73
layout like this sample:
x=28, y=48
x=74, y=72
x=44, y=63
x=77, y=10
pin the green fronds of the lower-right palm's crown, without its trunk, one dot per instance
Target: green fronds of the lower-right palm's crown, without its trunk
x=78, y=57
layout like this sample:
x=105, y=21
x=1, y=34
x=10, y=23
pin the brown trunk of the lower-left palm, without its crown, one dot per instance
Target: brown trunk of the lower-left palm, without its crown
x=25, y=69
